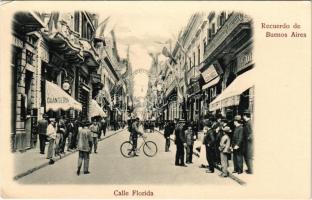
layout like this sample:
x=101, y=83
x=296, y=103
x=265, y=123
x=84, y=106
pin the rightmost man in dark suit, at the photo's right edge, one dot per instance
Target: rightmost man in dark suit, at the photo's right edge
x=248, y=141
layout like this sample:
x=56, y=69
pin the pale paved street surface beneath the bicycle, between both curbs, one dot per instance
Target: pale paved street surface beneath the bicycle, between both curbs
x=109, y=167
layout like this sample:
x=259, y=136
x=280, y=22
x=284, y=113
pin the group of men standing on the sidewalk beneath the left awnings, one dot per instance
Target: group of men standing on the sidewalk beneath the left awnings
x=60, y=132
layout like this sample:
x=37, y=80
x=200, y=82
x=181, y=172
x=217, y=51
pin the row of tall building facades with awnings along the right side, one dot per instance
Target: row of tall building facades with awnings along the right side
x=211, y=54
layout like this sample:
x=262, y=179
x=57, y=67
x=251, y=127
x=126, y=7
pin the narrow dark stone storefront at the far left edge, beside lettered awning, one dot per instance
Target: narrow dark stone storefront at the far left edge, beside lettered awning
x=25, y=85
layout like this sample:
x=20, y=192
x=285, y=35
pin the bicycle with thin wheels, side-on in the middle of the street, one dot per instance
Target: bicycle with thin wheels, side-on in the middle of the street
x=149, y=148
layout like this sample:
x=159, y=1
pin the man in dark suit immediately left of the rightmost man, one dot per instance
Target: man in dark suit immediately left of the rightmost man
x=238, y=145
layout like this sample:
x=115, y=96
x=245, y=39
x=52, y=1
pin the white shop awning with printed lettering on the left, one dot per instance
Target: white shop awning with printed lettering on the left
x=58, y=99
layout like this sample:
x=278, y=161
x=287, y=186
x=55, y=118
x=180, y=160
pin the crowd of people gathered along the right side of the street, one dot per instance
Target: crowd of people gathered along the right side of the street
x=219, y=141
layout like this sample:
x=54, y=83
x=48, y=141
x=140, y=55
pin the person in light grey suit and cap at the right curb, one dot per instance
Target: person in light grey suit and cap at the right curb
x=224, y=148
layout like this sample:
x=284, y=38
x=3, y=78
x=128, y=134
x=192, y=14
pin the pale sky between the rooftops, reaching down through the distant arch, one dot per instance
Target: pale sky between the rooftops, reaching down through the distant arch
x=143, y=28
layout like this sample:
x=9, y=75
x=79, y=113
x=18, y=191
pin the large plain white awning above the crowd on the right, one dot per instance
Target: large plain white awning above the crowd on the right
x=231, y=95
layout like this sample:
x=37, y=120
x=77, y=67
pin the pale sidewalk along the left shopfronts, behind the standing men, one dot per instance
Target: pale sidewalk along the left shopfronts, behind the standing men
x=31, y=160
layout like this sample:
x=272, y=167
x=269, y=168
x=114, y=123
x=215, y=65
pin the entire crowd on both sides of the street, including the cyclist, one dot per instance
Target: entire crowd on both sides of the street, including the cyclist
x=215, y=140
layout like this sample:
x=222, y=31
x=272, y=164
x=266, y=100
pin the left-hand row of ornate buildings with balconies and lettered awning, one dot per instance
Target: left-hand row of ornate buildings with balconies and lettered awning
x=57, y=69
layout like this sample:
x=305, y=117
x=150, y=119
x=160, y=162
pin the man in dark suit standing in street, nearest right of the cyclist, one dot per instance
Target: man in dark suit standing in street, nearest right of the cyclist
x=180, y=142
